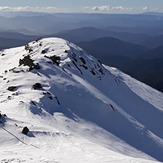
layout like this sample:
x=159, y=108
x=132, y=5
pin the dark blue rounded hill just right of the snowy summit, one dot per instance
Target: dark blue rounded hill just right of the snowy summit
x=110, y=47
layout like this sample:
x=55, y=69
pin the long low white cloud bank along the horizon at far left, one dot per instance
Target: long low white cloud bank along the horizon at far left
x=28, y=8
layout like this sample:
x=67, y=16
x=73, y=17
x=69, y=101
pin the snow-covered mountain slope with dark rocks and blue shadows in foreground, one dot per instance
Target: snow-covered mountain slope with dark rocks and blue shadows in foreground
x=77, y=110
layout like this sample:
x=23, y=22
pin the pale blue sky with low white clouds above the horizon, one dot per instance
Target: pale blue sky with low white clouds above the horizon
x=106, y=6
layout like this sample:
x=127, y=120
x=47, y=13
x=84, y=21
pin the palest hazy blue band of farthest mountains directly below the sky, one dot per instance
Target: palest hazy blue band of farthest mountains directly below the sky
x=53, y=23
